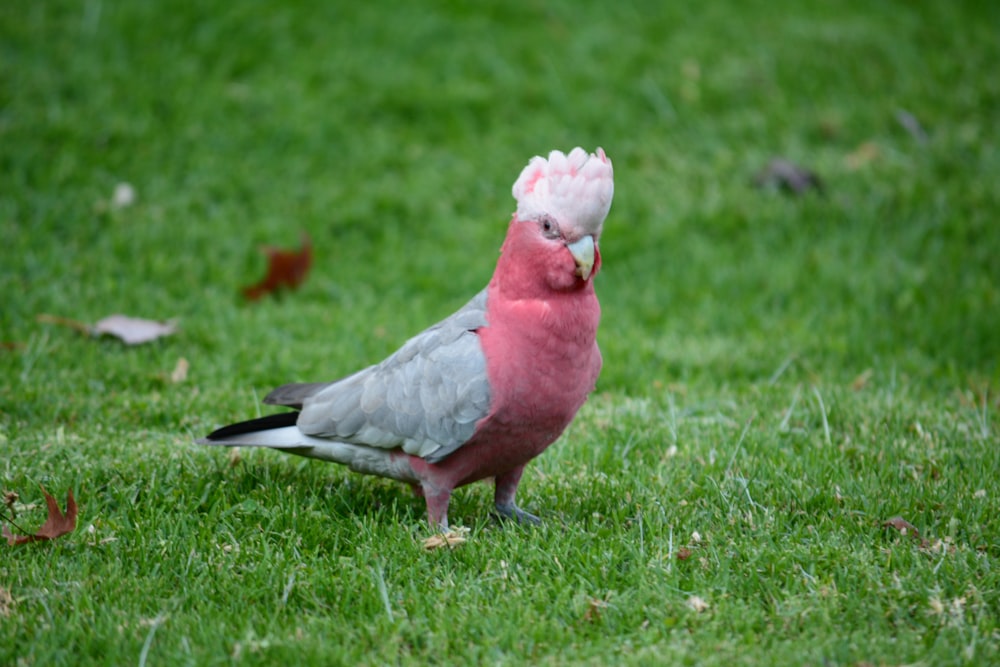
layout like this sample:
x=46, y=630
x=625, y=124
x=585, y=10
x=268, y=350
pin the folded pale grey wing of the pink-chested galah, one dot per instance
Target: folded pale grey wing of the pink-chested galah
x=426, y=398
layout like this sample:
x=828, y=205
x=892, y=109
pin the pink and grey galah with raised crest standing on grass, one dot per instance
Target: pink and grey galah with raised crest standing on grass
x=486, y=390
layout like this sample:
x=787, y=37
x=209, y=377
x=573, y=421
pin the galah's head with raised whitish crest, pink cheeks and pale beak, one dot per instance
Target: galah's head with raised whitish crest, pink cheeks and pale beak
x=562, y=202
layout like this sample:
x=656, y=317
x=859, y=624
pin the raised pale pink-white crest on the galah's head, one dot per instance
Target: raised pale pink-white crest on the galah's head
x=575, y=189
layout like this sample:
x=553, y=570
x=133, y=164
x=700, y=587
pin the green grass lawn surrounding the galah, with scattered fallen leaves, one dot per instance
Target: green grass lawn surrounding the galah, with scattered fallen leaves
x=781, y=376
